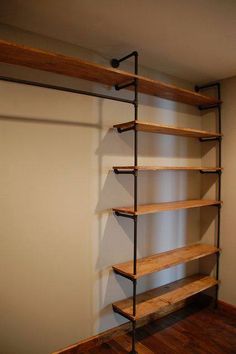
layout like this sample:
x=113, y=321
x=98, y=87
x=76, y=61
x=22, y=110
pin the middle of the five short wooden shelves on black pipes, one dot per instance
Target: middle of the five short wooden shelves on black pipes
x=167, y=206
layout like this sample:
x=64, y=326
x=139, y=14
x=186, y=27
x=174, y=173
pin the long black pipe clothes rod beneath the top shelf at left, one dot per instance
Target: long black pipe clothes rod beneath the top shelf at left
x=64, y=89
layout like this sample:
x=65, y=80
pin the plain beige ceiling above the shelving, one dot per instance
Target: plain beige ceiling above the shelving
x=190, y=39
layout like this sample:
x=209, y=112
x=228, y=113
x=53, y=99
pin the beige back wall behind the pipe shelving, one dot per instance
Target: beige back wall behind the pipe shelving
x=59, y=237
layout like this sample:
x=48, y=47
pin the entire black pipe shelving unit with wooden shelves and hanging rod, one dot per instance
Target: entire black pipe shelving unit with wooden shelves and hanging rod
x=154, y=300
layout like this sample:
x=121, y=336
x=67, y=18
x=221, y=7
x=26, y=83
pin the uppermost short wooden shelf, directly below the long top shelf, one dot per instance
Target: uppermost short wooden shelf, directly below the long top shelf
x=165, y=129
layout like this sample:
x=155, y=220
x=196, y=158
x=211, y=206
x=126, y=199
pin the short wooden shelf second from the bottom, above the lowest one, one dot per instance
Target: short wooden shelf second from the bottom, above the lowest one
x=158, y=262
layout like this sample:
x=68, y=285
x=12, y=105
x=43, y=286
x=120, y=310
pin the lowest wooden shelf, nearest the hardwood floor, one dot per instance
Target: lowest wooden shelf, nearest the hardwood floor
x=155, y=300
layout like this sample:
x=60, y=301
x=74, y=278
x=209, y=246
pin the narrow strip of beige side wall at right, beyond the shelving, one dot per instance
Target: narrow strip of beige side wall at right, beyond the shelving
x=228, y=263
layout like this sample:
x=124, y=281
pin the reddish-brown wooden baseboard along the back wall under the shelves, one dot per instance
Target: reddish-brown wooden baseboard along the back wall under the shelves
x=103, y=337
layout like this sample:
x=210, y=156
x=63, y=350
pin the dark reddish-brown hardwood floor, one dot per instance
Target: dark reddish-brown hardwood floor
x=196, y=329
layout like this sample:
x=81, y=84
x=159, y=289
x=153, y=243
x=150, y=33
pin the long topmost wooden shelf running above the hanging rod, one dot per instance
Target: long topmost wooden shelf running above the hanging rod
x=16, y=54
